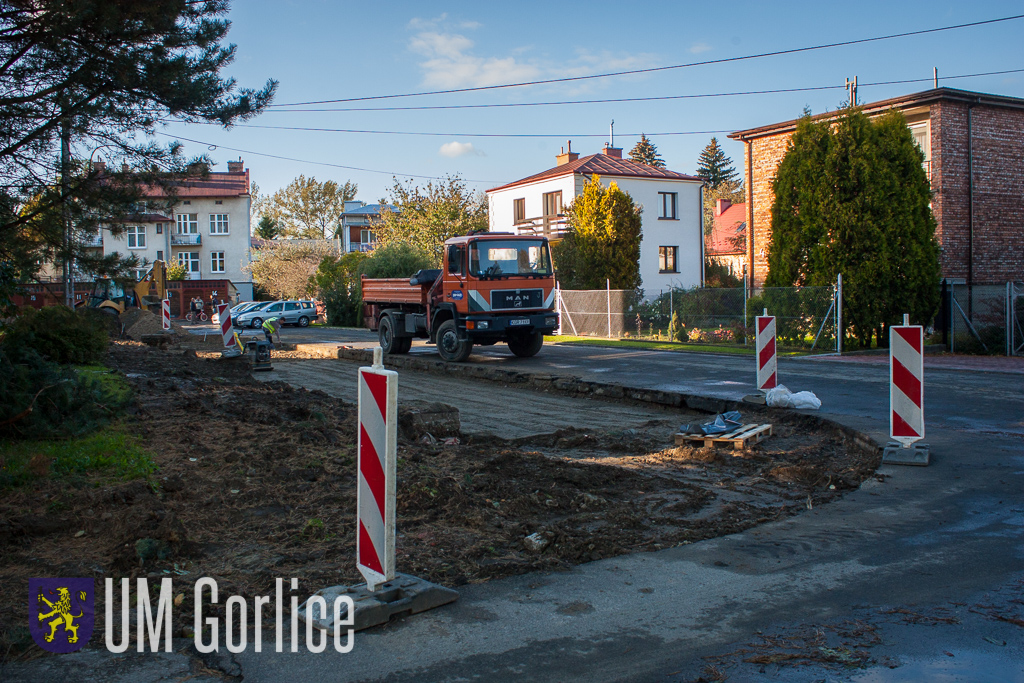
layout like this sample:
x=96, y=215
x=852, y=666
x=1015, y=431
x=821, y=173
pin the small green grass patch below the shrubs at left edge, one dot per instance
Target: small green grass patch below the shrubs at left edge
x=111, y=451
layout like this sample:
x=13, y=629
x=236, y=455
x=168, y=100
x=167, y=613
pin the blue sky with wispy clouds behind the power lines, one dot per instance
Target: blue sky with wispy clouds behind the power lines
x=324, y=50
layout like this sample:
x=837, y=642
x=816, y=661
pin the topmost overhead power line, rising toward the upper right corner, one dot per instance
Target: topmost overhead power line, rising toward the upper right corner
x=652, y=70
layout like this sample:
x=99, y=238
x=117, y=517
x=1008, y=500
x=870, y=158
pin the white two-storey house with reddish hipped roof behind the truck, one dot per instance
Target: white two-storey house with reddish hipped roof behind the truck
x=672, y=248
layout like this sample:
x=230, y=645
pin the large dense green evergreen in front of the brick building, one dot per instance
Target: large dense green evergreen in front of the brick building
x=852, y=197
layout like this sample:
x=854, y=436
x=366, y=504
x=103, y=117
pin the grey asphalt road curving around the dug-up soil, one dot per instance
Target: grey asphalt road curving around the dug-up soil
x=950, y=537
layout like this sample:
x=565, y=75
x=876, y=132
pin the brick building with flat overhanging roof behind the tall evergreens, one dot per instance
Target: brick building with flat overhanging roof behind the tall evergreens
x=974, y=154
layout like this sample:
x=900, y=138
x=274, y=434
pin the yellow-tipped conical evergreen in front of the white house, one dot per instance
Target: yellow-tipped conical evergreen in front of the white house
x=604, y=240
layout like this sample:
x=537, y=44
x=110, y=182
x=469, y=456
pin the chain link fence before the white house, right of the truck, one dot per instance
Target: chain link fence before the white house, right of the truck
x=806, y=317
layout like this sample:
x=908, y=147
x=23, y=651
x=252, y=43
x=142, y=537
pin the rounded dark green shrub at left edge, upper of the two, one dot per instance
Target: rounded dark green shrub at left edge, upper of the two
x=58, y=334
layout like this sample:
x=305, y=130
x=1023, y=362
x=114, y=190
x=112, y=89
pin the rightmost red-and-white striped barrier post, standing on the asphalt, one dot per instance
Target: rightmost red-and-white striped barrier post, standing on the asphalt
x=907, y=382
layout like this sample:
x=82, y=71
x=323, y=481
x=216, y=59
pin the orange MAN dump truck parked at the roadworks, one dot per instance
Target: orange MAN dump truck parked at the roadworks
x=493, y=288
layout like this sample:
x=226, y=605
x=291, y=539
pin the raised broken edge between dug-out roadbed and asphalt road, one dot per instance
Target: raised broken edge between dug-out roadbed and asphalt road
x=578, y=387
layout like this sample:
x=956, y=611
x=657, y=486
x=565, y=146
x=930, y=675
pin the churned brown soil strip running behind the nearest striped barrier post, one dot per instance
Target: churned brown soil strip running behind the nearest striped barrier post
x=258, y=481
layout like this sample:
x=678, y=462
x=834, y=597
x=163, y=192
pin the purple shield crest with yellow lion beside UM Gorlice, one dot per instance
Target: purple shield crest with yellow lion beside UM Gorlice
x=61, y=613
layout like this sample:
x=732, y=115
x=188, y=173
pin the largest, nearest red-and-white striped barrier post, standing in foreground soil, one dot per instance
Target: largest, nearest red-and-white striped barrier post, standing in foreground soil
x=377, y=459
